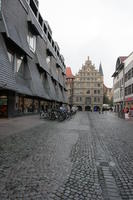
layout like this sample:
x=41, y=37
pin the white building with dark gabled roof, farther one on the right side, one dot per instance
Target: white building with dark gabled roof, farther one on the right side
x=119, y=84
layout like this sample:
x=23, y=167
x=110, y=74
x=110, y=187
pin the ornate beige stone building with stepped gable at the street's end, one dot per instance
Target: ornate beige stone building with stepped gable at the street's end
x=88, y=87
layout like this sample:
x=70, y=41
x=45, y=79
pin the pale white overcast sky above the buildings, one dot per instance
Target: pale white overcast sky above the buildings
x=100, y=29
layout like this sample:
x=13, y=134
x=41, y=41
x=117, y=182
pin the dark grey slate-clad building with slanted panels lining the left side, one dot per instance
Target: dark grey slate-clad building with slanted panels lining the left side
x=32, y=70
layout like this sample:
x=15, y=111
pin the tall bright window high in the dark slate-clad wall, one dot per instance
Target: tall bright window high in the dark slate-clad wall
x=31, y=41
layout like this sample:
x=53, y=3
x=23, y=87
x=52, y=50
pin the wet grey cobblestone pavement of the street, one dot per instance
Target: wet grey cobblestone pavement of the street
x=89, y=157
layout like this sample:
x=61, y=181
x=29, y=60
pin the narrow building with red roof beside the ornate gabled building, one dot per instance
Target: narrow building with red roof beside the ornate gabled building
x=69, y=85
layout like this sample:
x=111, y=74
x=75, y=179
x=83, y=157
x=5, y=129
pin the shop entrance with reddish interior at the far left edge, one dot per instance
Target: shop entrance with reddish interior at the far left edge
x=3, y=106
